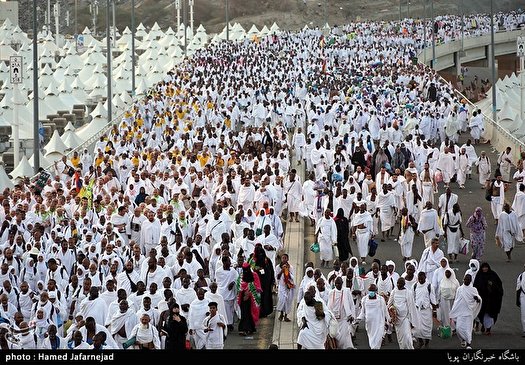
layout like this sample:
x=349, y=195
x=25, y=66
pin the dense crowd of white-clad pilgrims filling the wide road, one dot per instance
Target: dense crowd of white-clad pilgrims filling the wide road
x=171, y=230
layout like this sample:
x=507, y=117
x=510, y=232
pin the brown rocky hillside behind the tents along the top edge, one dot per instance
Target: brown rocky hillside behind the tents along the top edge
x=289, y=14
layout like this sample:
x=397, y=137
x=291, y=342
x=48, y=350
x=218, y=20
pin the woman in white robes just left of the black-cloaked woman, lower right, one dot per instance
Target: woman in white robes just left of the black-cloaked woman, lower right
x=466, y=307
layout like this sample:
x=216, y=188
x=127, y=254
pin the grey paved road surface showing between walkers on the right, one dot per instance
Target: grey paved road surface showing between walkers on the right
x=507, y=331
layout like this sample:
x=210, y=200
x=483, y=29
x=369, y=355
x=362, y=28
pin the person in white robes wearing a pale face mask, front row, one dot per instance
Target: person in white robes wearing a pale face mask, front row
x=376, y=317
